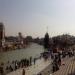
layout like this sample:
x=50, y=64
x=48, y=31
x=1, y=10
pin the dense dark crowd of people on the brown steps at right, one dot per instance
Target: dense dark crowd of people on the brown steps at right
x=58, y=56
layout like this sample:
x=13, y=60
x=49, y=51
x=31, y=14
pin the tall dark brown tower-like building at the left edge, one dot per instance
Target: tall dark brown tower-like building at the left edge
x=2, y=35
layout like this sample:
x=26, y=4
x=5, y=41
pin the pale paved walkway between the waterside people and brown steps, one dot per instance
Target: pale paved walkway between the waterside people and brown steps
x=34, y=69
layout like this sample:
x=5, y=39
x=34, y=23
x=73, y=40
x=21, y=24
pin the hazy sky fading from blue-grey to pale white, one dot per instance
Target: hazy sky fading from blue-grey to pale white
x=31, y=17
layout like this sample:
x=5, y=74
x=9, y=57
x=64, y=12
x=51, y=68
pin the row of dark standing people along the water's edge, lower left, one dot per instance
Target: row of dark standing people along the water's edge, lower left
x=14, y=65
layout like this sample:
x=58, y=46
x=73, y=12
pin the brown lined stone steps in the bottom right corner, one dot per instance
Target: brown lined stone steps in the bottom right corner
x=66, y=69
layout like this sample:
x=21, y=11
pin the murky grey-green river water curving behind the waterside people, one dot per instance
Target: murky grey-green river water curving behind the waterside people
x=33, y=50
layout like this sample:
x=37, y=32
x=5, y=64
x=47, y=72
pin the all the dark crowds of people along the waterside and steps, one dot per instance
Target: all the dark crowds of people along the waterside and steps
x=56, y=57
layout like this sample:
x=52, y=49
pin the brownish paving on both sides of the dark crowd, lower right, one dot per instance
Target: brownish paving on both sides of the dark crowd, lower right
x=66, y=69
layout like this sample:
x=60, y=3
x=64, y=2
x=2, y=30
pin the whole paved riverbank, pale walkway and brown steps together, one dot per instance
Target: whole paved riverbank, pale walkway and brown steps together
x=45, y=68
